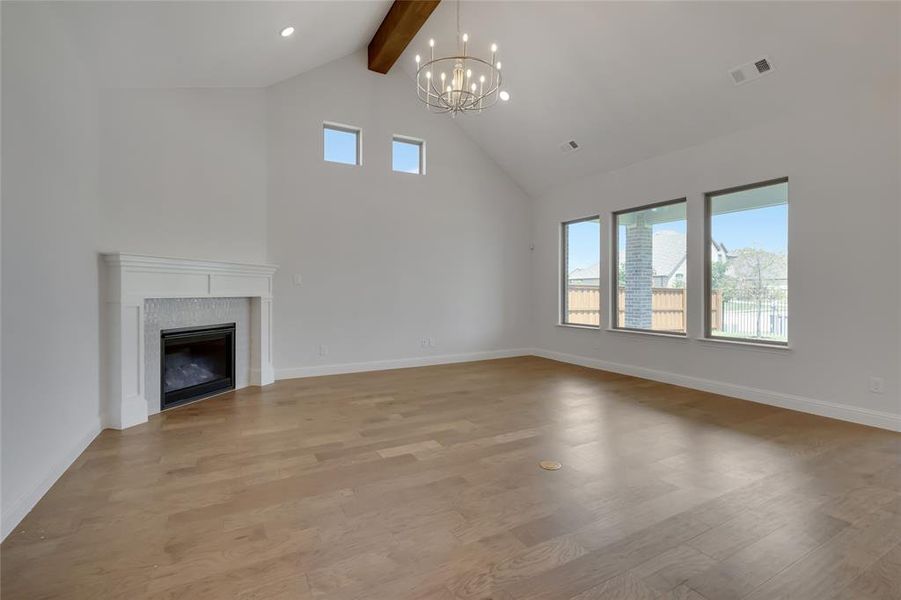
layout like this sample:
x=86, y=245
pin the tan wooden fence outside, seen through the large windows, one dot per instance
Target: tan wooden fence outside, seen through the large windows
x=667, y=307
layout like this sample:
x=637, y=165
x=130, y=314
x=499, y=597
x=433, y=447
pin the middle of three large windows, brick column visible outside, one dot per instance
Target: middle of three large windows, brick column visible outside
x=651, y=255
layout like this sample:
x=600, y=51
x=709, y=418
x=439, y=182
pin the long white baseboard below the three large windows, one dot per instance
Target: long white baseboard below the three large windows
x=844, y=412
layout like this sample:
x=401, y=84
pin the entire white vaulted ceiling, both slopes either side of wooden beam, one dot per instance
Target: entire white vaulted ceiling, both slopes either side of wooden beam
x=626, y=80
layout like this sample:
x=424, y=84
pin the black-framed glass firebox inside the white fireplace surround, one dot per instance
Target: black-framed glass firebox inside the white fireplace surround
x=196, y=362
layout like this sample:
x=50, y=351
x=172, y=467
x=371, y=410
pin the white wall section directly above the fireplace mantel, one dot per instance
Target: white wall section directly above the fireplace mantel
x=183, y=173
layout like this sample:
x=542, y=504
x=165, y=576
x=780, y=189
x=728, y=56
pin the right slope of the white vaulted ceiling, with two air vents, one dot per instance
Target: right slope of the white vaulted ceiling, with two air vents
x=633, y=80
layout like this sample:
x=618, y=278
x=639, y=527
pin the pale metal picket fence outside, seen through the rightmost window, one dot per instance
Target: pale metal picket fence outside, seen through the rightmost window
x=755, y=315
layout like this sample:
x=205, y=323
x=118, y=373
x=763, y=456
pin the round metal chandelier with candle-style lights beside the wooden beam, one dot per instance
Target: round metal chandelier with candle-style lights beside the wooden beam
x=459, y=83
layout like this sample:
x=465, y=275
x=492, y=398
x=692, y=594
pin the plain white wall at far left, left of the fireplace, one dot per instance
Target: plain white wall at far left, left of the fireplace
x=50, y=331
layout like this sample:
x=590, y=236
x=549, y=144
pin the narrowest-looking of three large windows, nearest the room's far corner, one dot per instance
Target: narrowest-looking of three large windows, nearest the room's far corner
x=581, y=302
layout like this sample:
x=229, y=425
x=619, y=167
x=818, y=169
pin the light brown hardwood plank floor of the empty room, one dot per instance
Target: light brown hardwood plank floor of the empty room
x=423, y=484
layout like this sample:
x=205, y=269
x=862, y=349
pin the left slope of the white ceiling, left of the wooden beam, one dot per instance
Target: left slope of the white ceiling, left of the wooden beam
x=215, y=44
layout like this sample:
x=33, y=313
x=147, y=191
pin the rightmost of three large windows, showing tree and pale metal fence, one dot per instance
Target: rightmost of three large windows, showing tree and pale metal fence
x=747, y=263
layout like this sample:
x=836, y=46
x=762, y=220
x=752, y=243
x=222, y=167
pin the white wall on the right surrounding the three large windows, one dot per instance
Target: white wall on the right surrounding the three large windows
x=842, y=161
